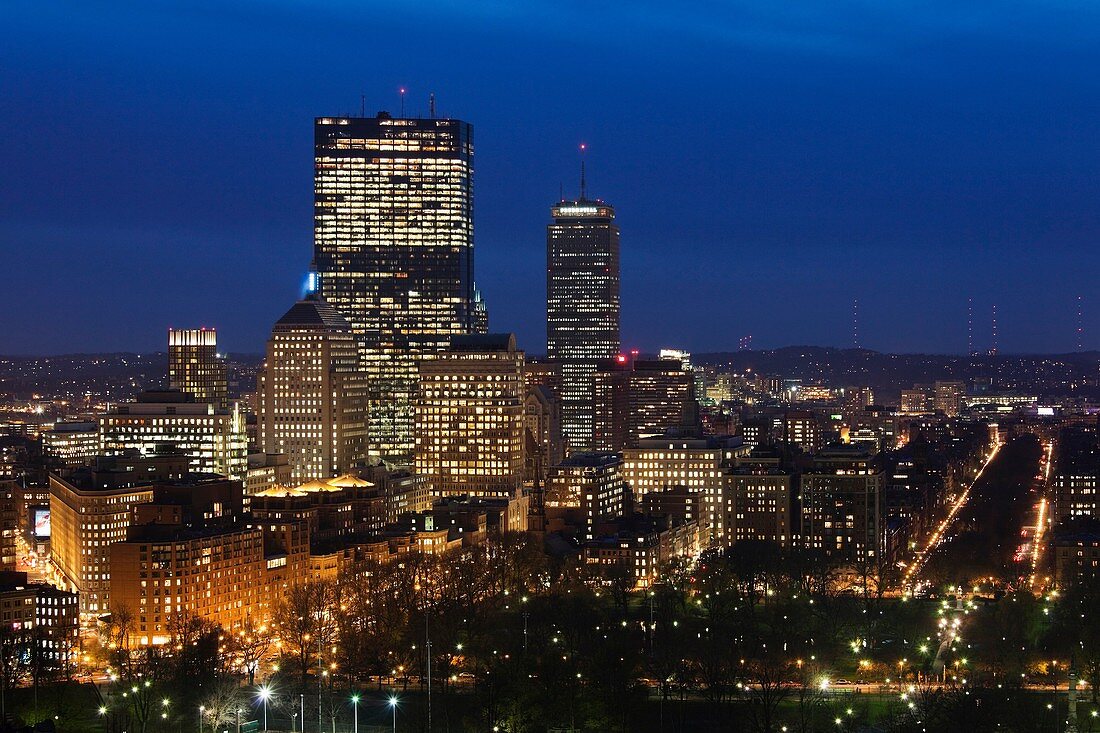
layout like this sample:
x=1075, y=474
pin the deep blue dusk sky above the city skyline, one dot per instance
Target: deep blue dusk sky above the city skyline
x=769, y=161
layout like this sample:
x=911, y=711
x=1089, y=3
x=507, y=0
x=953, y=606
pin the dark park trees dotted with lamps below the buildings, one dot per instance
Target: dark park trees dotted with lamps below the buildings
x=756, y=639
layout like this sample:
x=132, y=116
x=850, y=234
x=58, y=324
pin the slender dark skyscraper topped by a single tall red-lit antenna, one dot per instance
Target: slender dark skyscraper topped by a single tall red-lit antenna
x=582, y=305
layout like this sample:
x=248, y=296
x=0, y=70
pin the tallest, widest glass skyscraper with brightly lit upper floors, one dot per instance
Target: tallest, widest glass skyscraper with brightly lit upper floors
x=393, y=250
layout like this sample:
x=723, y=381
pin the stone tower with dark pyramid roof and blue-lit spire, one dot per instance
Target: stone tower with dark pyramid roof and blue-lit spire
x=313, y=395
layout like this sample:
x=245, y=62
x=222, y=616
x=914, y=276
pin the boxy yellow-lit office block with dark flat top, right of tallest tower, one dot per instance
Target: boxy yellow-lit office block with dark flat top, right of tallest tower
x=470, y=418
